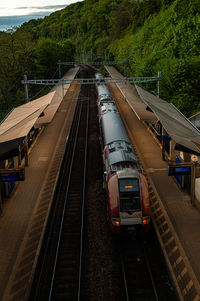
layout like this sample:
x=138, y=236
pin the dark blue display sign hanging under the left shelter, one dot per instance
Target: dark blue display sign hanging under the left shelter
x=12, y=174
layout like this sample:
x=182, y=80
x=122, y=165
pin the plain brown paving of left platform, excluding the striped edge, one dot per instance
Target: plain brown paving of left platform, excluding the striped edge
x=17, y=211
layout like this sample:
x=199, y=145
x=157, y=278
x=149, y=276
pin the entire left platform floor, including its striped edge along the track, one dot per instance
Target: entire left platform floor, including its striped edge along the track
x=25, y=214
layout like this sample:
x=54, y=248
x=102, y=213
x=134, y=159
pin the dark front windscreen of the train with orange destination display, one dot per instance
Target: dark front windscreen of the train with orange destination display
x=129, y=191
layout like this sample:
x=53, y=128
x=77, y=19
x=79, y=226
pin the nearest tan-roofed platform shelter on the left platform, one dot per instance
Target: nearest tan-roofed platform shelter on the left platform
x=18, y=132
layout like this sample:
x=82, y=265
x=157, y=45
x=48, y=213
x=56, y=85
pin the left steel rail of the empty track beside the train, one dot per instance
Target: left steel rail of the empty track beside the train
x=64, y=208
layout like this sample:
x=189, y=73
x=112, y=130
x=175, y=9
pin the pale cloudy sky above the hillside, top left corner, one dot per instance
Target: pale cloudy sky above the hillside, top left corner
x=25, y=7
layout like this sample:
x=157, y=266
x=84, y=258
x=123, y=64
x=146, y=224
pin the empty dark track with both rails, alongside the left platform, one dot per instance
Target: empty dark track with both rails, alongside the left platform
x=61, y=256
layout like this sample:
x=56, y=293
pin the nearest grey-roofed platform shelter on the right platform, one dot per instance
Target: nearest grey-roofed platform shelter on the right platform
x=178, y=135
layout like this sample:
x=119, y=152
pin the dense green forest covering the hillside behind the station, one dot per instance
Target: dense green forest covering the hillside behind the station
x=151, y=35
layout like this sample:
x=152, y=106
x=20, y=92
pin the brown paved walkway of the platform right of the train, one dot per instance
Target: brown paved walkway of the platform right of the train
x=184, y=218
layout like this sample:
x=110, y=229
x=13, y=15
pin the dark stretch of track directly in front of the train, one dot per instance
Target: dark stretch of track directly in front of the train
x=143, y=270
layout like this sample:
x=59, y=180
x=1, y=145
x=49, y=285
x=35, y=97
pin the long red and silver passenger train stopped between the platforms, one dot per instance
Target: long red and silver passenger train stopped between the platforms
x=127, y=188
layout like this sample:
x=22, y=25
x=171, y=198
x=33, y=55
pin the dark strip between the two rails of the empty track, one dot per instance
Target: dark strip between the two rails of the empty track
x=66, y=280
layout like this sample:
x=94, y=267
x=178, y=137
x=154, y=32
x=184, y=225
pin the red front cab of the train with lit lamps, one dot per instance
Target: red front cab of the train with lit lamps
x=128, y=203
